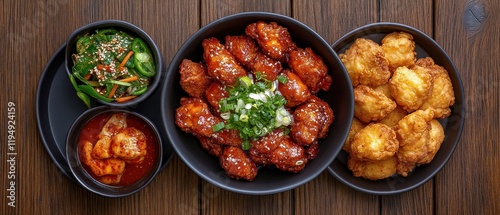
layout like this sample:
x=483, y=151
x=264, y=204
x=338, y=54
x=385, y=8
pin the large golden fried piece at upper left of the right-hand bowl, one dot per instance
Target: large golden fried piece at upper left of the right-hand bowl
x=366, y=63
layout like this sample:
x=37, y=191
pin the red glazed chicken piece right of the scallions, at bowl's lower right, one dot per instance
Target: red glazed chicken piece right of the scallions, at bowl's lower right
x=311, y=121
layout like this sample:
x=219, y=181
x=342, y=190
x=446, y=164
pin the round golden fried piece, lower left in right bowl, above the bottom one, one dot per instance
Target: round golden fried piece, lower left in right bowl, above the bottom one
x=374, y=142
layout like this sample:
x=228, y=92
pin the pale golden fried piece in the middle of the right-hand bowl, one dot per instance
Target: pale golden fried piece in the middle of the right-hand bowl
x=410, y=87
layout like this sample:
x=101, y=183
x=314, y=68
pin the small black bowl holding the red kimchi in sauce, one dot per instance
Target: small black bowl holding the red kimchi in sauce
x=85, y=179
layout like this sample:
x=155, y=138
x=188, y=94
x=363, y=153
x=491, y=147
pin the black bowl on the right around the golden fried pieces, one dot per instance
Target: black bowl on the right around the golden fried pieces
x=425, y=46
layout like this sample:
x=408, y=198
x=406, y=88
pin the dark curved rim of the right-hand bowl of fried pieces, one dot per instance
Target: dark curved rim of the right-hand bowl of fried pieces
x=383, y=27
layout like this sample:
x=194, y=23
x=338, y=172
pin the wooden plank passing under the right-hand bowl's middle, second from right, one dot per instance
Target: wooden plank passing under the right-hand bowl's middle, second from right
x=418, y=14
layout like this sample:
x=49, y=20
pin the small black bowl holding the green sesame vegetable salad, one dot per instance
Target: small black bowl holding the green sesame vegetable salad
x=131, y=30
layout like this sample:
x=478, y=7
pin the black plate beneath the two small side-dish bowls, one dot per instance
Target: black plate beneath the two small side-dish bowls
x=57, y=107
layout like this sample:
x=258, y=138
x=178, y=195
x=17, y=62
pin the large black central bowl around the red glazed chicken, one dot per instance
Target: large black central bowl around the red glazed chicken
x=268, y=181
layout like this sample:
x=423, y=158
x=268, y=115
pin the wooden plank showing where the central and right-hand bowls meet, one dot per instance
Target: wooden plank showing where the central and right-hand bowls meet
x=332, y=19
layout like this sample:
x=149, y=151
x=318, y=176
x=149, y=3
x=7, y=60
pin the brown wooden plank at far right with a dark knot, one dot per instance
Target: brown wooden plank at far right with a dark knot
x=469, y=32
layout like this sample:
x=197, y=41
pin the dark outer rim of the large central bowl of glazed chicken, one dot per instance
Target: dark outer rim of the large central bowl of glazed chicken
x=171, y=129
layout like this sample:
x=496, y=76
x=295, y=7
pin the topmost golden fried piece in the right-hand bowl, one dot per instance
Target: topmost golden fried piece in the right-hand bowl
x=399, y=49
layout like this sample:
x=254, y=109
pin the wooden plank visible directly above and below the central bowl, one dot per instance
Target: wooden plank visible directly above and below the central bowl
x=220, y=201
